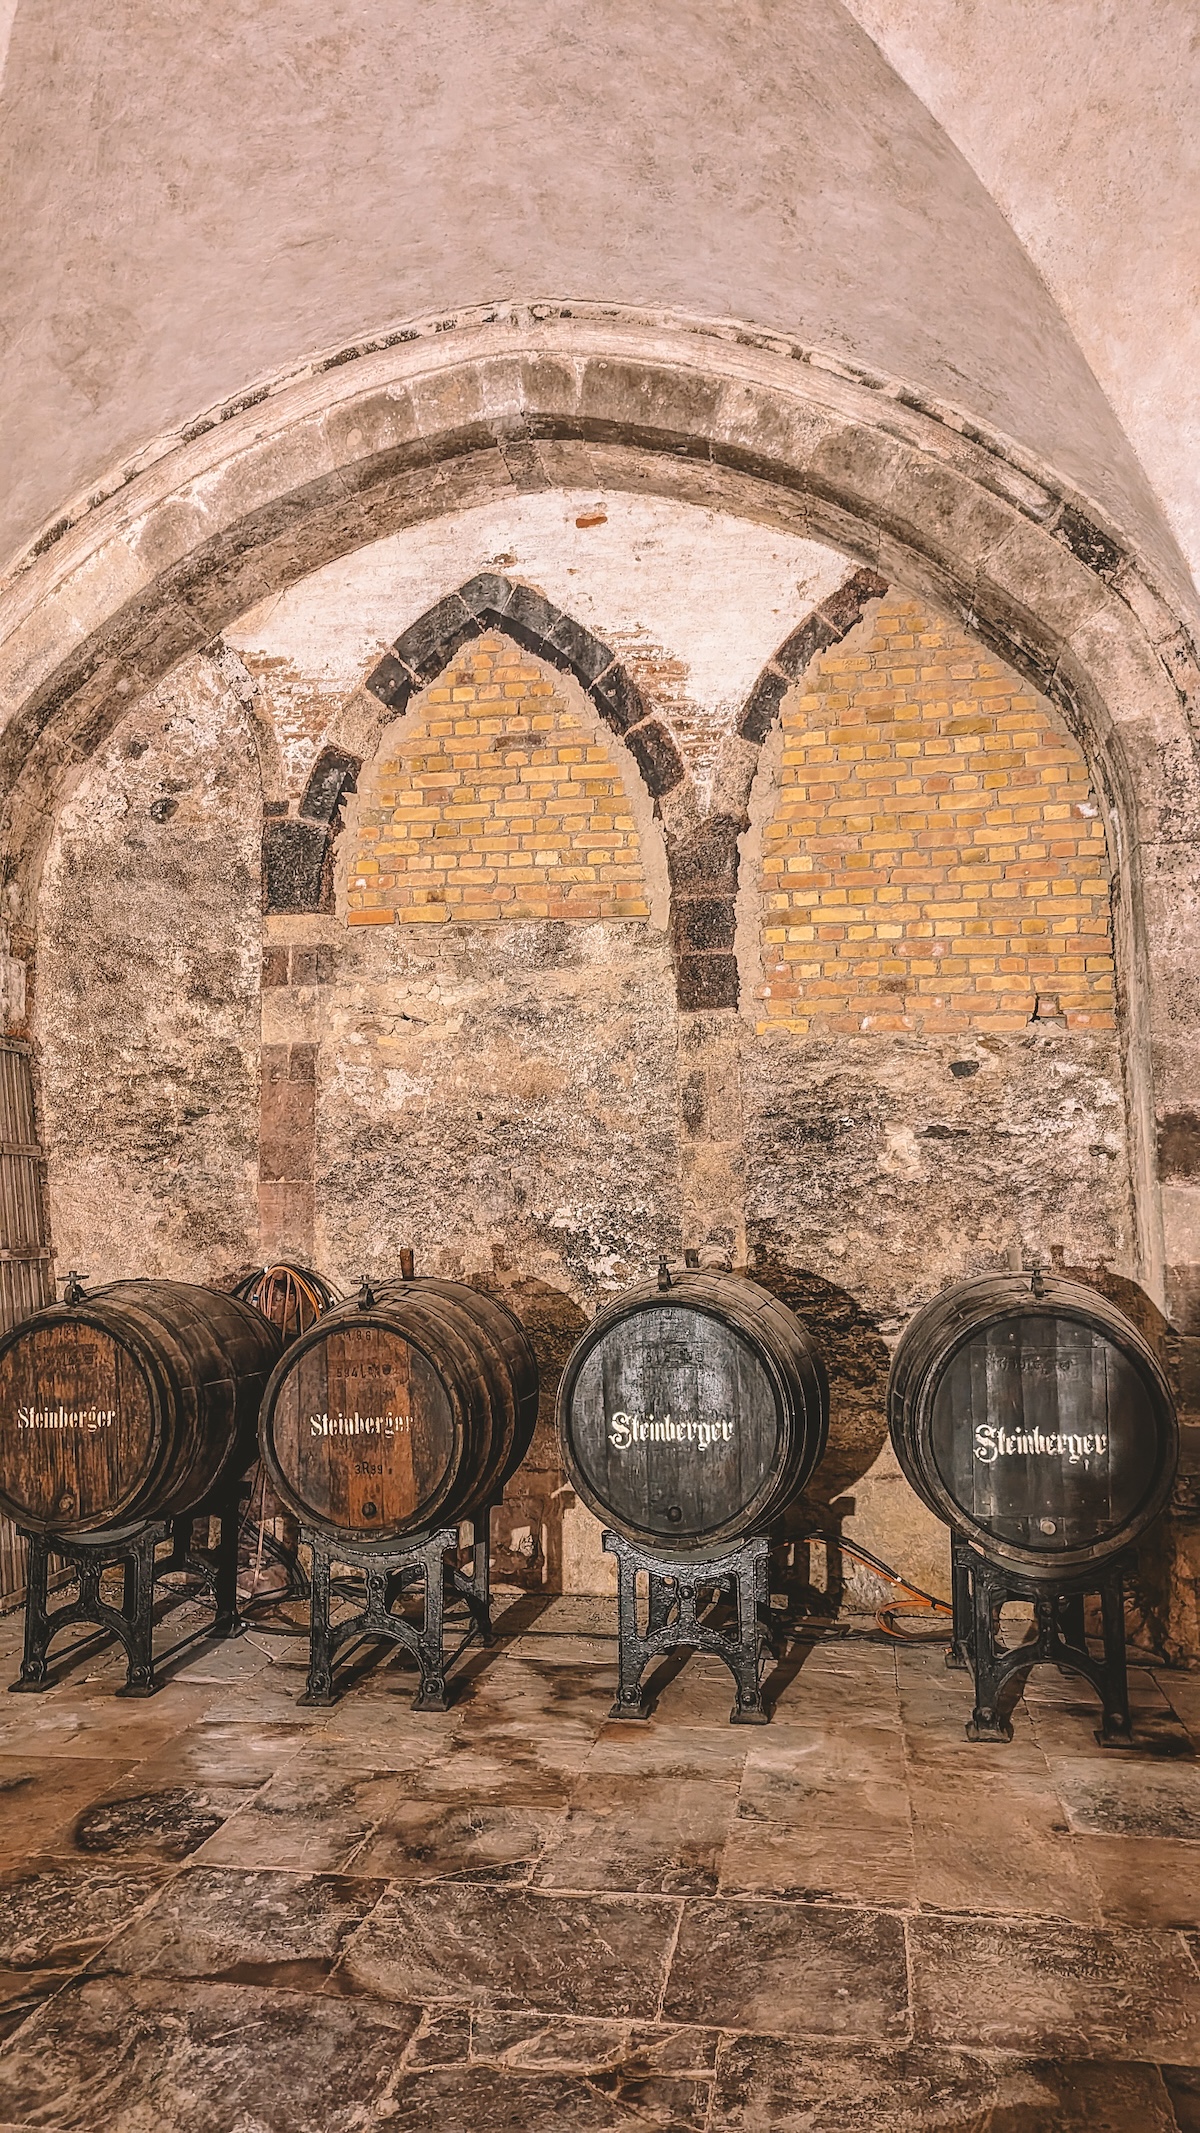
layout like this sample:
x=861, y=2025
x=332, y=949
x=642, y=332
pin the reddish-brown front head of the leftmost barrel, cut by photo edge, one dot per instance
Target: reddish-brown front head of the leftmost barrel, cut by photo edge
x=76, y=1426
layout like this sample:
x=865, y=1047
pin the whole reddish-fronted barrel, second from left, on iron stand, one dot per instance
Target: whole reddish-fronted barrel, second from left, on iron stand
x=400, y=1411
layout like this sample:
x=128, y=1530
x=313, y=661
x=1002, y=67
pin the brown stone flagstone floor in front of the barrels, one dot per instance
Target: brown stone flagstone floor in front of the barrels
x=227, y=1914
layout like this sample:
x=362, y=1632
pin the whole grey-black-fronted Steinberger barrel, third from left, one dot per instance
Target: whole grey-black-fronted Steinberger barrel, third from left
x=692, y=1415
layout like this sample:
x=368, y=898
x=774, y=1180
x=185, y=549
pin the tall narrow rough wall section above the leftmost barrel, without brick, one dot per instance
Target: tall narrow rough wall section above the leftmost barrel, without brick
x=146, y=1012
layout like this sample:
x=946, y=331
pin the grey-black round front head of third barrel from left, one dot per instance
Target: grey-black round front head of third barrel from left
x=672, y=1426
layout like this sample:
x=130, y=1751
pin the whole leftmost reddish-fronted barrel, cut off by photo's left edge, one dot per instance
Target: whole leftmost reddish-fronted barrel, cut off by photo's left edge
x=129, y=1405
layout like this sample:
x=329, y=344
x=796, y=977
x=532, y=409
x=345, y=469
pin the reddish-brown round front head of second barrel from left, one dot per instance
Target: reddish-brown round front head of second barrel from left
x=361, y=1432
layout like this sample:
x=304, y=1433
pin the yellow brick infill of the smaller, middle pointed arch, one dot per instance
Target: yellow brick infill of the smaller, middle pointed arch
x=500, y=803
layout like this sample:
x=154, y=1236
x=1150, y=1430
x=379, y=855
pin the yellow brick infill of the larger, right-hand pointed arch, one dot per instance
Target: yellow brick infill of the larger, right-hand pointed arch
x=937, y=861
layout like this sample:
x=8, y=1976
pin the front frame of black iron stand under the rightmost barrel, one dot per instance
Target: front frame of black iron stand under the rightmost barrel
x=1058, y=1641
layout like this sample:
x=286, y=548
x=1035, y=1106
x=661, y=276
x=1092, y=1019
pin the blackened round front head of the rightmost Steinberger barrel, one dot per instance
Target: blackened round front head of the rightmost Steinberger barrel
x=1045, y=1434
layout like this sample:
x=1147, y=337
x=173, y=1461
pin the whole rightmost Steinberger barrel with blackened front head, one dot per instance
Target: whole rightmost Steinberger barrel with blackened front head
x=1033, y=1417
